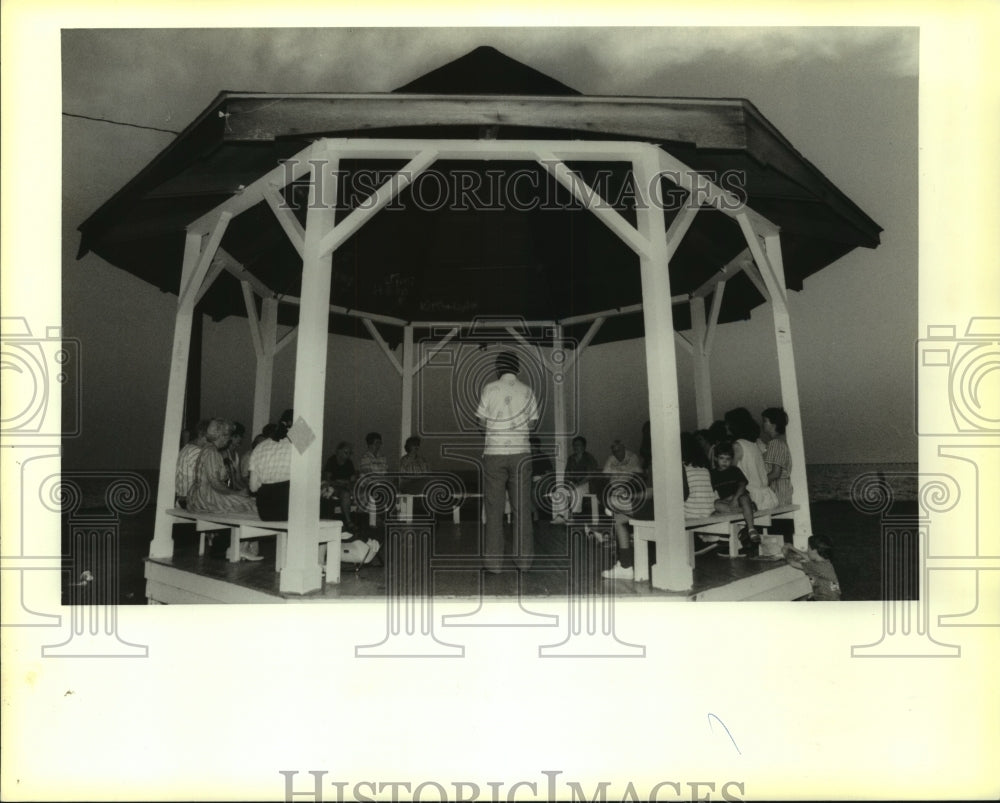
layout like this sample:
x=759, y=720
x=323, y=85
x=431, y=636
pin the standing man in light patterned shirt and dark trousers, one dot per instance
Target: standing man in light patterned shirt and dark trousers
x=508, y=410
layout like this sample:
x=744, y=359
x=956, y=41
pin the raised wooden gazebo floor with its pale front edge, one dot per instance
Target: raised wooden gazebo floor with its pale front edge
x=450, y=566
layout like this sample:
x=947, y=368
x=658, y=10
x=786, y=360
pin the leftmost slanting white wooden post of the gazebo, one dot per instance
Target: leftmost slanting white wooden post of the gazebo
x=162, y=545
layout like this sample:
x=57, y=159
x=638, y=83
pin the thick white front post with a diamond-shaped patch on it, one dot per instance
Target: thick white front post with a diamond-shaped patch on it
x=301, y=572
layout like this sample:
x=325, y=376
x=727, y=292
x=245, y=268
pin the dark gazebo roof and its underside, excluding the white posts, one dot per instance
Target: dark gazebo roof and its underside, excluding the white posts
x=536, y=254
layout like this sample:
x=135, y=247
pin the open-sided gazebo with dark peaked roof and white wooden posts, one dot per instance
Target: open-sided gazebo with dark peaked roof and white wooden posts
x=482, y=193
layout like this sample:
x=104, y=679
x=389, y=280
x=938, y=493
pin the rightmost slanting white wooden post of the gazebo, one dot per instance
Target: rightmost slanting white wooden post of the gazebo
x=775, y=278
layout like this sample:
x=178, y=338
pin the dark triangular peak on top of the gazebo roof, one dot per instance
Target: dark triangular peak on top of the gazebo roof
x=486, y=71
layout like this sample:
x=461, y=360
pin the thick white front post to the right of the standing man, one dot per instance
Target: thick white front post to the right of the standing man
x=674, y=570
